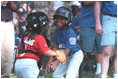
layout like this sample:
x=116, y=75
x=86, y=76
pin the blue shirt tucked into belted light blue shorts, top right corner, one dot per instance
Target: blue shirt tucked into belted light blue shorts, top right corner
x=109, y=7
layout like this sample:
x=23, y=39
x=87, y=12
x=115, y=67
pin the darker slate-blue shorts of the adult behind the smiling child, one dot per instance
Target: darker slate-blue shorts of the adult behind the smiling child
x=90, y=40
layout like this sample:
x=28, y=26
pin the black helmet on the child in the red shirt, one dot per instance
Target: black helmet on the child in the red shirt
x=37, y=22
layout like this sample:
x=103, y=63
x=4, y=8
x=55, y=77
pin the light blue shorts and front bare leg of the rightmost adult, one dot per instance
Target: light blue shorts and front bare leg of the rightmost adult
x=108, y=40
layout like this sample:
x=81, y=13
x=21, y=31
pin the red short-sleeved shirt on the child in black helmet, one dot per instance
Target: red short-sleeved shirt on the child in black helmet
x=38, y=44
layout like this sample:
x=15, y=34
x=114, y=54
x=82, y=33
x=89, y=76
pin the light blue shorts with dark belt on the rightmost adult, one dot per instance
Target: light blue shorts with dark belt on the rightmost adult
x=109, y=36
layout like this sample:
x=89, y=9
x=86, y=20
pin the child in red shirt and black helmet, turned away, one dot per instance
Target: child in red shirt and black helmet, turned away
x=33, y=45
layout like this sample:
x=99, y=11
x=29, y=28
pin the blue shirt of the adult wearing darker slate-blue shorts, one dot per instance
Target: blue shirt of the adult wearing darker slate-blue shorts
x=87, y=18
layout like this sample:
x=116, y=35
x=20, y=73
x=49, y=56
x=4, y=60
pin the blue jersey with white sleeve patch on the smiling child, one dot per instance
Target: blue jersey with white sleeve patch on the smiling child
x=66, y=39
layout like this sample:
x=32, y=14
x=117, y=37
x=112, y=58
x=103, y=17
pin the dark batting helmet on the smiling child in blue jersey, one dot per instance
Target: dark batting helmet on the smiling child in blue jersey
x=64, y=12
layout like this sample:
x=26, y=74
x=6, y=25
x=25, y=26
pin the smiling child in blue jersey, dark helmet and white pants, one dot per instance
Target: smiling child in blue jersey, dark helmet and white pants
x=65, y=40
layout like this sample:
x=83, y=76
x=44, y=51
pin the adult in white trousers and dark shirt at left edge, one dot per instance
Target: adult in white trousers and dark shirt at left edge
x=7, y=36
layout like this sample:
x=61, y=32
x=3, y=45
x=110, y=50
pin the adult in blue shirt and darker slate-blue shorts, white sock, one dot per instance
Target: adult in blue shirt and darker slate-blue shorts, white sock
x=88, y=36
